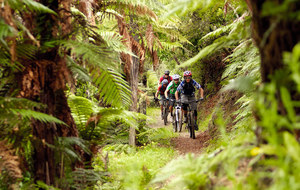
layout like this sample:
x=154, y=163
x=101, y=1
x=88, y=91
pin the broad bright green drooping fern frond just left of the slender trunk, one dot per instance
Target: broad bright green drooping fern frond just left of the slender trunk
x=114, y=89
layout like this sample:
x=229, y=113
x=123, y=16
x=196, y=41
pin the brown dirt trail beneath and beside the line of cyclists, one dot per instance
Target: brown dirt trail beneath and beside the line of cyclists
x=182, y=143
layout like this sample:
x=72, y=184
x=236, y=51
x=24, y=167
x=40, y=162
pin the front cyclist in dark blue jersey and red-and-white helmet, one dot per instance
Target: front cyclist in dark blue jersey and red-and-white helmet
x=187, y=90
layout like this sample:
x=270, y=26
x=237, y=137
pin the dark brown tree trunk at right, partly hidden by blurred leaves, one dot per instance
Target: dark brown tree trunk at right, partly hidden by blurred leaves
x=273, y=35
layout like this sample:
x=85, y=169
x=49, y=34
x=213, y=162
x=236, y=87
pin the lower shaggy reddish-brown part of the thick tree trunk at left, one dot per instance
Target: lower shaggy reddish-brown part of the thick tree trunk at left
x=43, y=81
